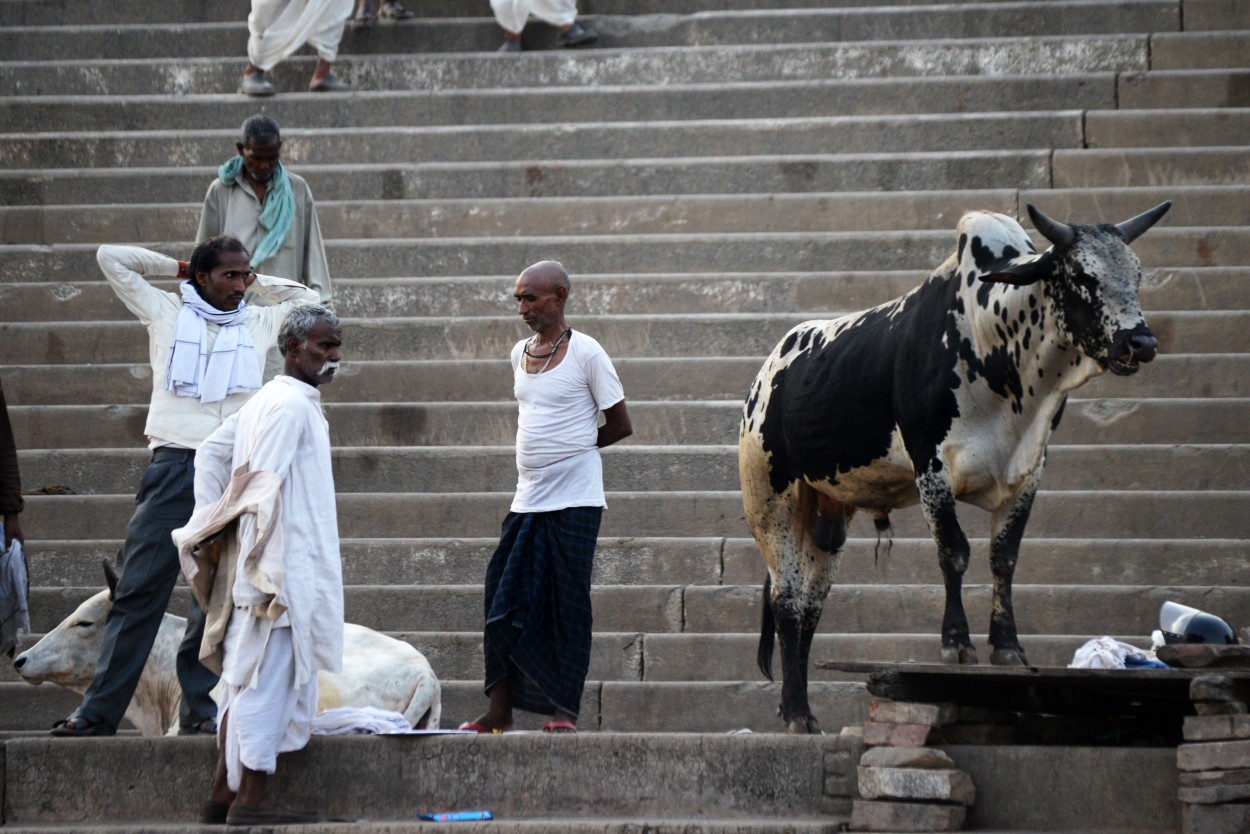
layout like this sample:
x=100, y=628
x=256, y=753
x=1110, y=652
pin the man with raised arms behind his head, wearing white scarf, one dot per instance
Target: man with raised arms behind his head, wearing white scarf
x=207, y=348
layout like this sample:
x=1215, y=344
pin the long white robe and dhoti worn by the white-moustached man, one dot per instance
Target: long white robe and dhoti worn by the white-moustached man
x=271, y=667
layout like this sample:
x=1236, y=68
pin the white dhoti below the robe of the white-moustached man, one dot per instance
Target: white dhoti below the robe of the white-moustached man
x=272, y=716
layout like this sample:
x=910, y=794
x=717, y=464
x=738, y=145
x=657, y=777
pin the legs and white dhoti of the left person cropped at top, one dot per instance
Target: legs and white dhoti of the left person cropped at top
x=278, y=28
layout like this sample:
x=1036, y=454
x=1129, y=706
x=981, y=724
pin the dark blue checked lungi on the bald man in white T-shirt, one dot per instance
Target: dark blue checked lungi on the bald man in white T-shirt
x=538, y=608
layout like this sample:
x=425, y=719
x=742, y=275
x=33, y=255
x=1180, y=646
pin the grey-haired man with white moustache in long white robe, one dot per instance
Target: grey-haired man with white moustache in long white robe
x=287, y=620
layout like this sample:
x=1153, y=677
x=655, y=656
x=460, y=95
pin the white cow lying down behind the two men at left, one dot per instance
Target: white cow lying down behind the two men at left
x=378, y=671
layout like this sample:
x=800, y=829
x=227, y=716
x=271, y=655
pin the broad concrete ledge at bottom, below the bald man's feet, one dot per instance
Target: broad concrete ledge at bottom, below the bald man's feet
x=81, y=781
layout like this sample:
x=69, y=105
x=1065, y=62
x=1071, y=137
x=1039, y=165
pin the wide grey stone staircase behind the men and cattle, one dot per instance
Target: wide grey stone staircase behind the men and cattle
x=713, y=174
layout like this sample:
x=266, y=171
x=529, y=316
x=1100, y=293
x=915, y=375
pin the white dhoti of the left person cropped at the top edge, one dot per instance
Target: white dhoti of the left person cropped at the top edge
x=278, y=28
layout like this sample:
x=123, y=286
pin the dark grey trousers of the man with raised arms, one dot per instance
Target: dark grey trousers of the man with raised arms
x=149, y=571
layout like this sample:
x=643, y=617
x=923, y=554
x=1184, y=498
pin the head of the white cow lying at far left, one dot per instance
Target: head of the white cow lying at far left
x=67, y=656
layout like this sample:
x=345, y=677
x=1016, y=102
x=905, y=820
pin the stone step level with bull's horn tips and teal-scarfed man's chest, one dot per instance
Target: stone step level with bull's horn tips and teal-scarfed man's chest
x=697, y=213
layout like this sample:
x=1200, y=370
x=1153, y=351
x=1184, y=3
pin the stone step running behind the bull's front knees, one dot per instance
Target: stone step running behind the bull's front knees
x=694, y=561
